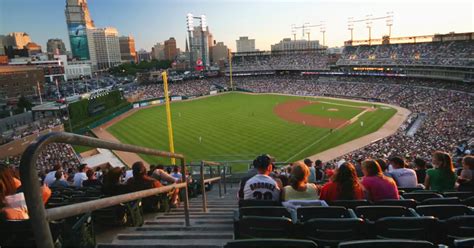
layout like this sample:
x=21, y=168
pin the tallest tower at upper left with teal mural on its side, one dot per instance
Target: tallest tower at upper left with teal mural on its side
x=78, y=21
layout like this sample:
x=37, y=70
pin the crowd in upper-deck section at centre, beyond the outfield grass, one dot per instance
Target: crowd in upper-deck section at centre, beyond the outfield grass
x=301, y=60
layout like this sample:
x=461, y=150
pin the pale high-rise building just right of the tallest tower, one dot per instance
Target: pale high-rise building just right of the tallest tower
x=106, y=47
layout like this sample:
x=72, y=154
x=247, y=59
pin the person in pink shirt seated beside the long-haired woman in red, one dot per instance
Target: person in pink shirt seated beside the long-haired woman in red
x=377, y=186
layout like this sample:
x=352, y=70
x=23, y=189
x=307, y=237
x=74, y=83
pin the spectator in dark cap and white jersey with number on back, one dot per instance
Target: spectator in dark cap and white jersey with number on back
x=262, y=186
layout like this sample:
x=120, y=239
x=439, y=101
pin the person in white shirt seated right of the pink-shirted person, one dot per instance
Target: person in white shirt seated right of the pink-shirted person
x=404, y=177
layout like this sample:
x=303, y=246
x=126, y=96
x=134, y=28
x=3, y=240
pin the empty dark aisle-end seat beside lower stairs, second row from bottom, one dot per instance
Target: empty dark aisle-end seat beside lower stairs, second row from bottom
x=263, y=227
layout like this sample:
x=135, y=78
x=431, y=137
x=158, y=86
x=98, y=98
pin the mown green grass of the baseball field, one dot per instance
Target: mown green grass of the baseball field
x=238, y=126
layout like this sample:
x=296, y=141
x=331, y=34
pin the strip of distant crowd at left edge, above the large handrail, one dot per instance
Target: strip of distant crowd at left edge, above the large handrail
x=18, y=132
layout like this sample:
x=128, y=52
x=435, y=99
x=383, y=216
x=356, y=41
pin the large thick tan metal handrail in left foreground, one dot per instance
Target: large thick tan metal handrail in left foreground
x=28, y=174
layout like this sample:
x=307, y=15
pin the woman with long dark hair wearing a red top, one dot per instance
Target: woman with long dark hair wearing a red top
x=344, y=185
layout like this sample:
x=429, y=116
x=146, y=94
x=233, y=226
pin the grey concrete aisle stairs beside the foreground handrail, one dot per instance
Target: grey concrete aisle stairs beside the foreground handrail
x=213, y=228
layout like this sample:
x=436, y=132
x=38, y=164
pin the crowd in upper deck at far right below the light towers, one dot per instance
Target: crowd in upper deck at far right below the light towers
x=449, y=53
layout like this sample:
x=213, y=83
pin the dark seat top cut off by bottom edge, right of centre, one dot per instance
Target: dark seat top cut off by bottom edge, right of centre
x=383, y=243
